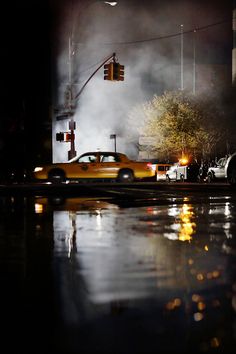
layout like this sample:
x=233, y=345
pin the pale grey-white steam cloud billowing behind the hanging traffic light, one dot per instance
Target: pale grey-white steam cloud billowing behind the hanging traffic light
x=150, y=67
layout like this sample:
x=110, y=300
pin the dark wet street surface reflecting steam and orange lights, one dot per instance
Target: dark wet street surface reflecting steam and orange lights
x=147, y=269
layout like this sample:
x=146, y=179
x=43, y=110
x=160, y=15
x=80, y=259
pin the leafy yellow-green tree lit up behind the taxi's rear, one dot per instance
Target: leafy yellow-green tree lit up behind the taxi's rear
x=181, y=124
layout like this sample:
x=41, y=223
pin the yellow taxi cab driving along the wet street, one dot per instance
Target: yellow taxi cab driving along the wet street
x=97, y=165
